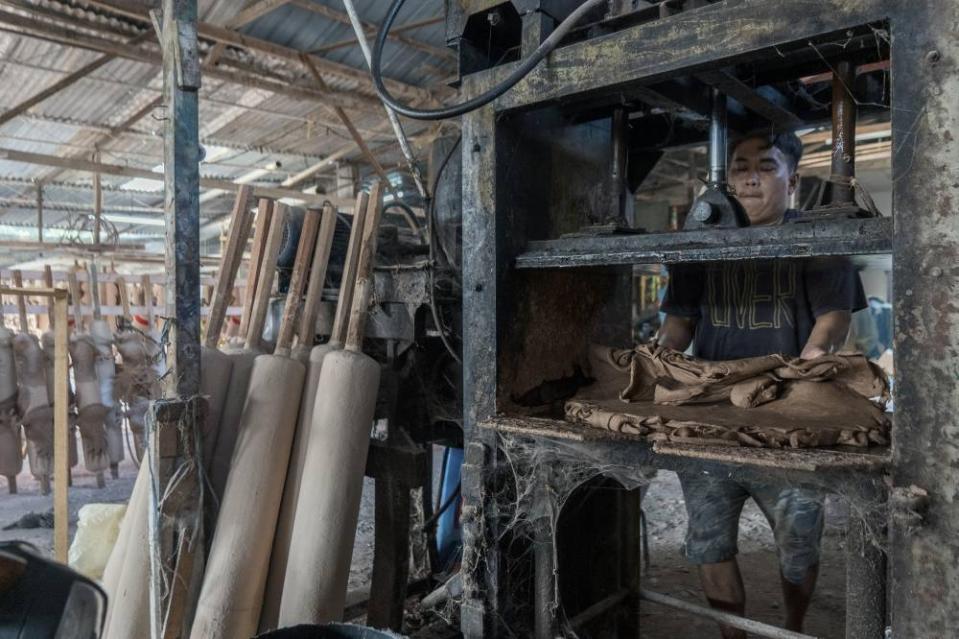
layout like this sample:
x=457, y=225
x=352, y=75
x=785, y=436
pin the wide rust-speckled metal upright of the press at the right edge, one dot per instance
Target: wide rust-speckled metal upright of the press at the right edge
x=925, y=72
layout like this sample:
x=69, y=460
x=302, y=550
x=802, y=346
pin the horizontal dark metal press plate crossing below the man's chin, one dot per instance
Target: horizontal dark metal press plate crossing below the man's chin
x=798, y=239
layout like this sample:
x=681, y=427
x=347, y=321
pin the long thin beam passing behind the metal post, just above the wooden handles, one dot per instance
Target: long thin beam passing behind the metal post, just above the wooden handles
x=77, y=164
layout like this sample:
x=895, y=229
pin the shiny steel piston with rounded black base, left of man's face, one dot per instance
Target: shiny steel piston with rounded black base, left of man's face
x=717, y=207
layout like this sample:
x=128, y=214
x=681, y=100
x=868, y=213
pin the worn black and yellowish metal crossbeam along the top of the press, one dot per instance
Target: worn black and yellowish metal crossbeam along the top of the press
x=688, y=41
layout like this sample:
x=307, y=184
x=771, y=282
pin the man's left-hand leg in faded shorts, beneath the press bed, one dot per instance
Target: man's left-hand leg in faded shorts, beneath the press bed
x=713, y=506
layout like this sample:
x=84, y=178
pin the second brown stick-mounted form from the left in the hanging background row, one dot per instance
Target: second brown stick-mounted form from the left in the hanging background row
x=33, y=400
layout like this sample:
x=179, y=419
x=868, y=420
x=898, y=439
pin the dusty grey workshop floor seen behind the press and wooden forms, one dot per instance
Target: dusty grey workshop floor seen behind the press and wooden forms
x=668, y=573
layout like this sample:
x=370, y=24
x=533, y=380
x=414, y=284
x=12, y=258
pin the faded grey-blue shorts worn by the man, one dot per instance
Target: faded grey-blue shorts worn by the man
x=714, y=505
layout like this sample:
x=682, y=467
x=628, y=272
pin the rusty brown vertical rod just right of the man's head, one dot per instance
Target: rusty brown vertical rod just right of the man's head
x=843, y=134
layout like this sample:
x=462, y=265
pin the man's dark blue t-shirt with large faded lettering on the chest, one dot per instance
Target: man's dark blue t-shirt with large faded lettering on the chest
x=748, y=308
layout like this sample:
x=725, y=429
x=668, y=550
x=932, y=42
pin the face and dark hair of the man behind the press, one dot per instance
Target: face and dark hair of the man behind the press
x=762, y=179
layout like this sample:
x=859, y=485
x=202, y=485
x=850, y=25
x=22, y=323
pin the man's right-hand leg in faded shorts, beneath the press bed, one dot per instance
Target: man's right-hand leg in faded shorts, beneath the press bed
x=796, y=516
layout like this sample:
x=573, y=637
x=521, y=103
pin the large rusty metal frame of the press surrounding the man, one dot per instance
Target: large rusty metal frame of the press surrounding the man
x=923, y=238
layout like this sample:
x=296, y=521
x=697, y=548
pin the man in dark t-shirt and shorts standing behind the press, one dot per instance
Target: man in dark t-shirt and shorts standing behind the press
x=729, y=310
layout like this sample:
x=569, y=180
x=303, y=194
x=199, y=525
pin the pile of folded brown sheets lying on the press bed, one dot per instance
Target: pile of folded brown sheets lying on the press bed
x=661, y=395
